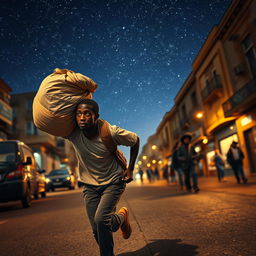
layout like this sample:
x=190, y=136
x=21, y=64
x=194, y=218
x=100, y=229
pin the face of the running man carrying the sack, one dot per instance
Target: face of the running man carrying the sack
x=85, y=117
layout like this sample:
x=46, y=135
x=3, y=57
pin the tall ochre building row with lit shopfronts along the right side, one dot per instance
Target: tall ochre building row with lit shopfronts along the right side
x=217, y=102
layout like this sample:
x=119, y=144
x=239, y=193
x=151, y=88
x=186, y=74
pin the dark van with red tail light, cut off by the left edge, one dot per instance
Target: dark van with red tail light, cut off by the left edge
x=19, y=176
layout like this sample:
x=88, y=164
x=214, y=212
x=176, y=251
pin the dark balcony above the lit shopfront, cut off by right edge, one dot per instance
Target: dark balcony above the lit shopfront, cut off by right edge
x=242, y=100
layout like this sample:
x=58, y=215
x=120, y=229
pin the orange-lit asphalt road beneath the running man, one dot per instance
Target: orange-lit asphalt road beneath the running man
x=165, y=222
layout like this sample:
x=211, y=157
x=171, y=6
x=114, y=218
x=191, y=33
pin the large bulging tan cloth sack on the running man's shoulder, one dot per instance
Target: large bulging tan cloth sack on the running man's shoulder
x=55, y=102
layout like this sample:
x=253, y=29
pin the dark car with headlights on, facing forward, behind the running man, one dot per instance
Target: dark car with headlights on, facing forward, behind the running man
x=60, y=178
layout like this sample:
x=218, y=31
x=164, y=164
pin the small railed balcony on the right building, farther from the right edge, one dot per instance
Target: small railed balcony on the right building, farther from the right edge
x=212, y=89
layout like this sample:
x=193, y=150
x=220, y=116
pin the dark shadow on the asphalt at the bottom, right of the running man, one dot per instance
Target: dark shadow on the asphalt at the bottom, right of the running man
x=165, y=247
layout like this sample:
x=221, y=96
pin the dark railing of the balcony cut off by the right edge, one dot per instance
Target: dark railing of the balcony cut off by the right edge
x=239, y=97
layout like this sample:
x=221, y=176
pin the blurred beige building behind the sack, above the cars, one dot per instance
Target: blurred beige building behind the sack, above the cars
x=50, y=152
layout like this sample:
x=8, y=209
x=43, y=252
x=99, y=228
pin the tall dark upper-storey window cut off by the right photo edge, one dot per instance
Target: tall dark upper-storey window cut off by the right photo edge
x=250, y=54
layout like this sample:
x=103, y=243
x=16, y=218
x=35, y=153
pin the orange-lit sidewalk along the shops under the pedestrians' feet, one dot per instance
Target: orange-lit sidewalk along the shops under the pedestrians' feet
x=211, y=184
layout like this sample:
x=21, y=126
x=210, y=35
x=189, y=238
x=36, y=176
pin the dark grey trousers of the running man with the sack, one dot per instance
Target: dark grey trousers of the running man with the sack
x=100, y=204
